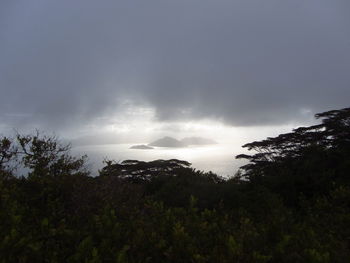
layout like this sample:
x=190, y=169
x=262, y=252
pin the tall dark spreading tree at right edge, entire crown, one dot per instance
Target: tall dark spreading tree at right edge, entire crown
x=309, y=161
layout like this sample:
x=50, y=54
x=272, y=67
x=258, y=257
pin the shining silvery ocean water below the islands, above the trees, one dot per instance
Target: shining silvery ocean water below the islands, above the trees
x=218, y=158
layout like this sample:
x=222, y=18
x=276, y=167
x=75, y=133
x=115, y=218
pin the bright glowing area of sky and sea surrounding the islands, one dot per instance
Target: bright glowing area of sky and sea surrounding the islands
x=113, y=140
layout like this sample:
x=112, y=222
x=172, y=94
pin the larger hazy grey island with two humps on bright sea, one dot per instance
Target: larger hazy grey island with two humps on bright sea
x=174, y=143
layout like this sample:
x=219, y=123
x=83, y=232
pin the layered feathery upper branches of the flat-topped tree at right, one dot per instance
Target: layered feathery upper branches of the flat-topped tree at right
x=333, y=133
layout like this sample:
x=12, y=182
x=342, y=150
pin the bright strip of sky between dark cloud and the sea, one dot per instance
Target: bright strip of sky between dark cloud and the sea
x=138, y=124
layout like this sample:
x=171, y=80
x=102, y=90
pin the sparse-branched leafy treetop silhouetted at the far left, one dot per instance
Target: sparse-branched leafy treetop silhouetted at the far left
x=43, y=155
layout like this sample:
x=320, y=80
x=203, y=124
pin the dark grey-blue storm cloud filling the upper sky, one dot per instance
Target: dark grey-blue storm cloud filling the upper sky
x=243, y=62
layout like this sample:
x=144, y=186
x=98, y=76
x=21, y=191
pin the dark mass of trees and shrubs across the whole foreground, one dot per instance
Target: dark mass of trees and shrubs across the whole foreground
x=290, y=203
